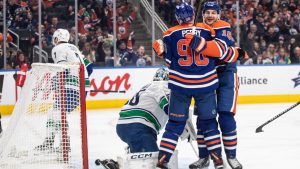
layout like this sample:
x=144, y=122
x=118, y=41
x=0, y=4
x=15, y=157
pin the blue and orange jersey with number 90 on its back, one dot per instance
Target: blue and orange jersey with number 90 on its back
x=190, y=72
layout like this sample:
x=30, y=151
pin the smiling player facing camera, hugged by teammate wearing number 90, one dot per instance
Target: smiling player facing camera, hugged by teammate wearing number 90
x=226, y=94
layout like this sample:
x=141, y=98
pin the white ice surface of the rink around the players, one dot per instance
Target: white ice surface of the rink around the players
x=277, y=147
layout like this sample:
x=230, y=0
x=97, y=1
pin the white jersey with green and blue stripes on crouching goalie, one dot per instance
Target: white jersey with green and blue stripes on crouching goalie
x=149, y=106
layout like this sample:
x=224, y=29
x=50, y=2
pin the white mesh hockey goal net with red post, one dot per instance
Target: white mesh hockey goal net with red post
x=48, y=126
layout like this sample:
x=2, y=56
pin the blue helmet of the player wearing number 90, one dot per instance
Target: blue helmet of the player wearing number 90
x=184, y=13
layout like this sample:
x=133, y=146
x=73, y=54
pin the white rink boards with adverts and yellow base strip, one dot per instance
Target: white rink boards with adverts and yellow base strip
x=111, y=87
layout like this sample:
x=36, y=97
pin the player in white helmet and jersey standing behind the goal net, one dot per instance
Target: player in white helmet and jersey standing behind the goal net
x=64, y=53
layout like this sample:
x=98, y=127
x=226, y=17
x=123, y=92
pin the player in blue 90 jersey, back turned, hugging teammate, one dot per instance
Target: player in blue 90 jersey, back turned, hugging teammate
x=191, y=75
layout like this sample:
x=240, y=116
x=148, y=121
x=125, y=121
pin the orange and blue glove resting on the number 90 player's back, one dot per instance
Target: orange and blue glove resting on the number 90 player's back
x=195, y=42
